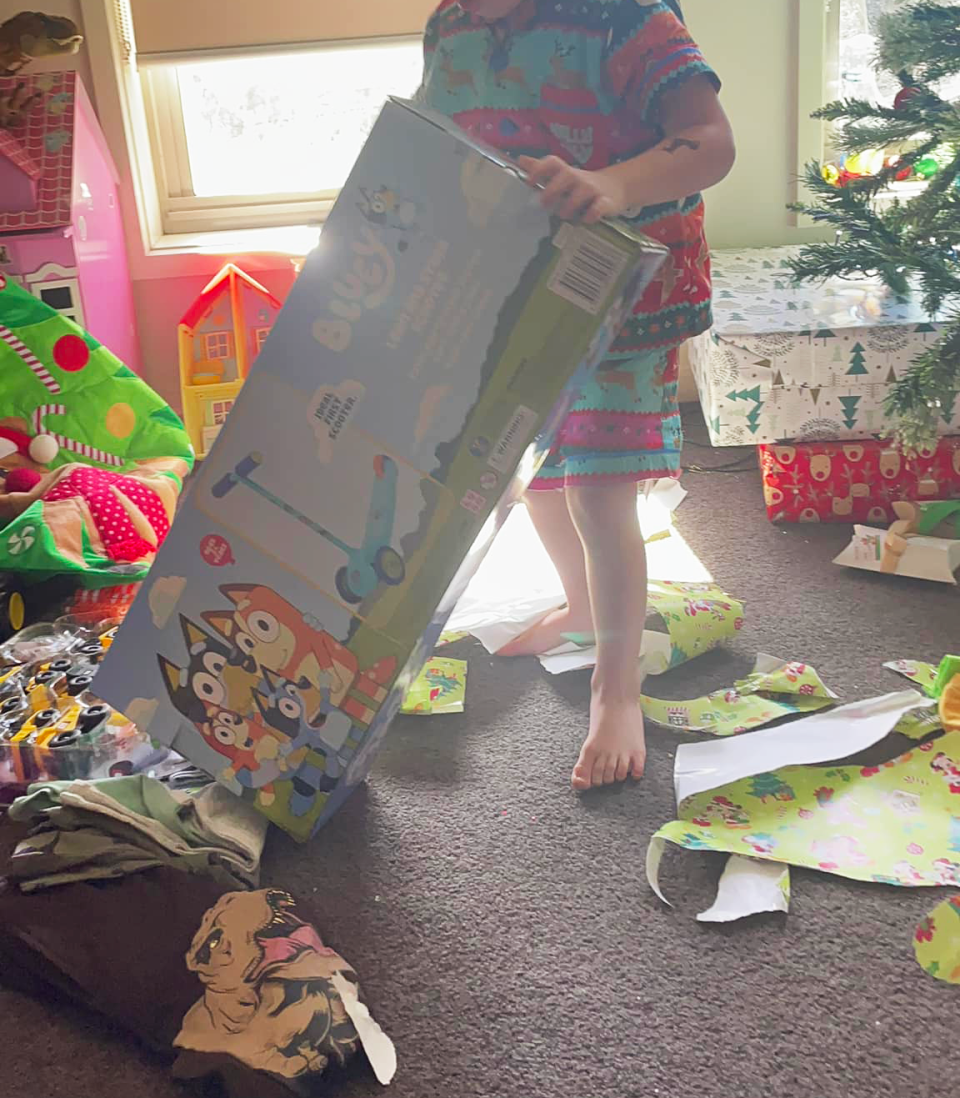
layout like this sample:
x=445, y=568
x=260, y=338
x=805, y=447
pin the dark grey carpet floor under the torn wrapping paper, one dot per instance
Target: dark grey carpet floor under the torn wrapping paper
x=503, y=926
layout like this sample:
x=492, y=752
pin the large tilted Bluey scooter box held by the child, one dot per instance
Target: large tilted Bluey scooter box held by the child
x=329, y=534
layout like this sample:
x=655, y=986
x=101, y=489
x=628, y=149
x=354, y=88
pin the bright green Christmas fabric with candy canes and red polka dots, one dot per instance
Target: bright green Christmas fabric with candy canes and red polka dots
x=92, y=460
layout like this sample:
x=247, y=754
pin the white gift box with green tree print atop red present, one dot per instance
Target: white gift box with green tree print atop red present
x=801, y=364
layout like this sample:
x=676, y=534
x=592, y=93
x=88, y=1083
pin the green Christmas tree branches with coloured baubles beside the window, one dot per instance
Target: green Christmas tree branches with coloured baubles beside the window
x=911, y=243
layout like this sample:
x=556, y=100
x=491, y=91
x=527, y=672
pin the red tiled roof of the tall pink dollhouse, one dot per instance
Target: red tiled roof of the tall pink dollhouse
x=47, y=139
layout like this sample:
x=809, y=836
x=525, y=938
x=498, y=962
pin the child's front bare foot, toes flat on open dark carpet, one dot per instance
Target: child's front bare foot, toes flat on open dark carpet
x=616, y=748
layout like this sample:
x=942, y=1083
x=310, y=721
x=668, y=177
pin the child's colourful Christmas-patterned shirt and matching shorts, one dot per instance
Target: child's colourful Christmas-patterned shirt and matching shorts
x=583, y=80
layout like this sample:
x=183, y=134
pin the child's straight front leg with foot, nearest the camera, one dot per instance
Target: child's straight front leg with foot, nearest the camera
x=617, y=572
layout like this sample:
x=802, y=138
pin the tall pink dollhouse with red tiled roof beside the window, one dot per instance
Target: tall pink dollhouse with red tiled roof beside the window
x=61, y=231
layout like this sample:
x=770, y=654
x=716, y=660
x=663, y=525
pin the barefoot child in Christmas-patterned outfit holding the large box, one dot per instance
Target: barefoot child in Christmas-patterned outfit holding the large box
x=611, y=109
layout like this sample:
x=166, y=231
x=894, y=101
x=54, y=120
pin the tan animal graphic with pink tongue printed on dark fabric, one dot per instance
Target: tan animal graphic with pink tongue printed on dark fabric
x=269, y=995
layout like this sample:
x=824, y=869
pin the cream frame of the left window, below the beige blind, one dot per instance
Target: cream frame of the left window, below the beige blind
x=181, y=210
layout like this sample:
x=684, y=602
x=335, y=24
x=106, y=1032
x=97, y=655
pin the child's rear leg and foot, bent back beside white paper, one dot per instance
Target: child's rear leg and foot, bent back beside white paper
x=556, y=531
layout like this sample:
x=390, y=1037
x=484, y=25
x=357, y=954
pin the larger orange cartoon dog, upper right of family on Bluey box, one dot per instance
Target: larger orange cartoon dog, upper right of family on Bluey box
x=276, y=635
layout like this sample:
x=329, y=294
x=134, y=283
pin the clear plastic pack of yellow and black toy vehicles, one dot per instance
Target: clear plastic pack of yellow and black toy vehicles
x=53, y=727
